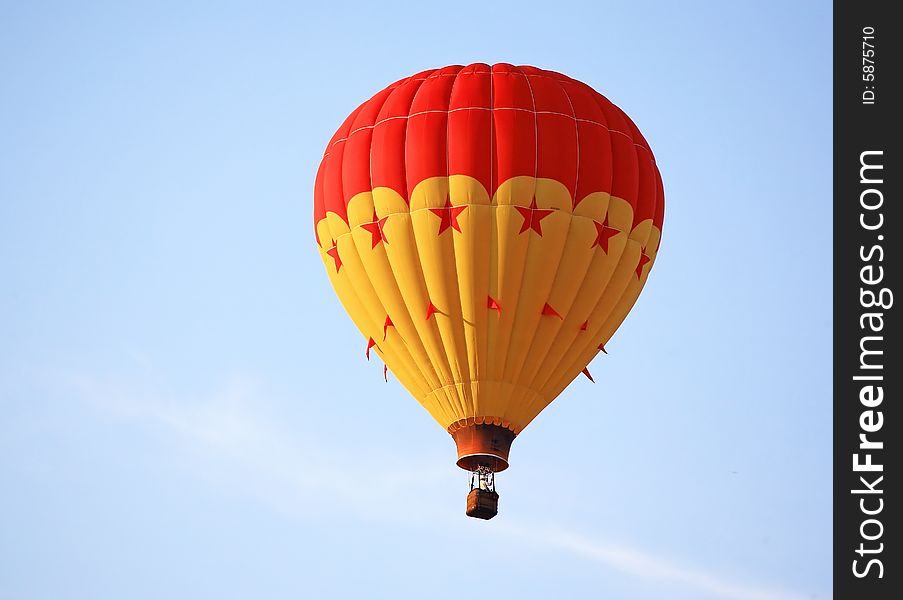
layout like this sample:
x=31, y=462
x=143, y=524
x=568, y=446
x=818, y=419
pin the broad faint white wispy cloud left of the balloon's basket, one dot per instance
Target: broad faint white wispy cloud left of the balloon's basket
x=288, y=469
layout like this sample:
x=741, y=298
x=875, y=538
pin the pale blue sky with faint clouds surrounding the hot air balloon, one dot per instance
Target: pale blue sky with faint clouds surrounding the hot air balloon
x=186, y=409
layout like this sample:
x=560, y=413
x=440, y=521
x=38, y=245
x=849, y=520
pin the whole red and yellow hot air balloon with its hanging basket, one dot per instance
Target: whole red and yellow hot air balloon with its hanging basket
x=487, y=228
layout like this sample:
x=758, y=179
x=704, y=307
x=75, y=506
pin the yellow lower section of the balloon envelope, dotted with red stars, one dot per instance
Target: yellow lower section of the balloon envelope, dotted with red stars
x=468, y=362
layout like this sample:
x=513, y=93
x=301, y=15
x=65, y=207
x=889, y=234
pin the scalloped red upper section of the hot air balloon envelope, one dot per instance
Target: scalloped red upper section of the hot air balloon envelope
x=491, y=123
